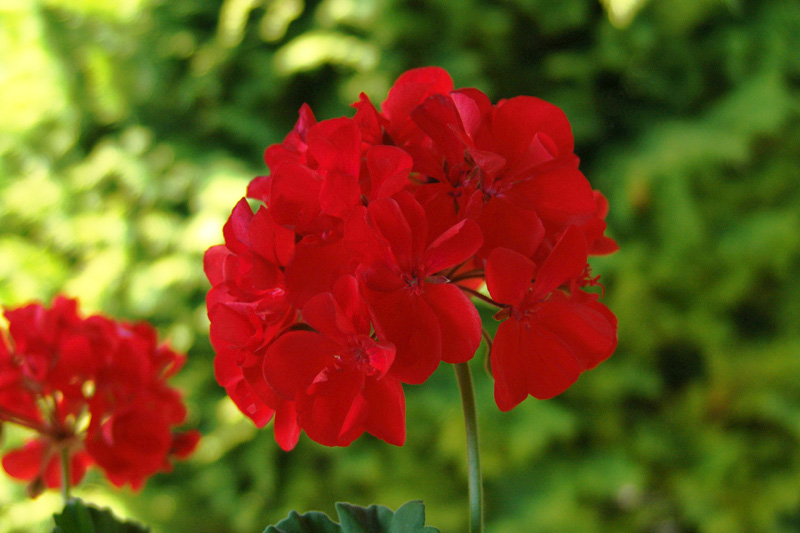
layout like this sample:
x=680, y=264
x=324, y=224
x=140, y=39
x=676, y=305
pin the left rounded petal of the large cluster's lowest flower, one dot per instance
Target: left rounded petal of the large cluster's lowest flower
x=294, y=359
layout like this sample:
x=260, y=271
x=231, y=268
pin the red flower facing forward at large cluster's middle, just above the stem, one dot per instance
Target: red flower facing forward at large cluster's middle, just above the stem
x=427, y=319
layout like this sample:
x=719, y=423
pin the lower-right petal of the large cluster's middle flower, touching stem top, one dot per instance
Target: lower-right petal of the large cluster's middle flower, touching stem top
x=458, y=319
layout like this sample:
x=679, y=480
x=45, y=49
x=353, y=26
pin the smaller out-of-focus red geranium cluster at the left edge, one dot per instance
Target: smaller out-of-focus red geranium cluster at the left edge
x=93, y=387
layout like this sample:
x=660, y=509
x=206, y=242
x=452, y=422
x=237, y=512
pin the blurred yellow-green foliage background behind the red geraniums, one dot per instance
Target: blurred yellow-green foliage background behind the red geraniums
x=129, y=128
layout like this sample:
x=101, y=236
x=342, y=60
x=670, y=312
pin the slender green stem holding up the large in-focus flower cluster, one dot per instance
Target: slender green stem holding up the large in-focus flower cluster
x=464, y=376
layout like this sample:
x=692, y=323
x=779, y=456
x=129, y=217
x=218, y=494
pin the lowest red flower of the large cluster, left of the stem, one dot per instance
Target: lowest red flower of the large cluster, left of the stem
x=336, y=375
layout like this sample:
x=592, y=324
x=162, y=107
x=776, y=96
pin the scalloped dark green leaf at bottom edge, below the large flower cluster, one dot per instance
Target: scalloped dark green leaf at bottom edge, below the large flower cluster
x=410, y=518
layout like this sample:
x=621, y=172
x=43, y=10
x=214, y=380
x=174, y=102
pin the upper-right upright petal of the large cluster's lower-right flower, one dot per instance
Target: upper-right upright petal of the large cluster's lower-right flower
x=566, y=261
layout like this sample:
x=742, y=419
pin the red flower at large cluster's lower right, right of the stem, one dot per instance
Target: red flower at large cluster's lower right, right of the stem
x=548, y=337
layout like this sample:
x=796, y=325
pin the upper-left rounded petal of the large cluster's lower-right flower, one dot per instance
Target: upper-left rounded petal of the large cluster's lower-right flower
x=508, y=275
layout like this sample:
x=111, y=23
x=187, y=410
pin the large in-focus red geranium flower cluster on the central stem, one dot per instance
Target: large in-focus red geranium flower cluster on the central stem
x=355, y=273
